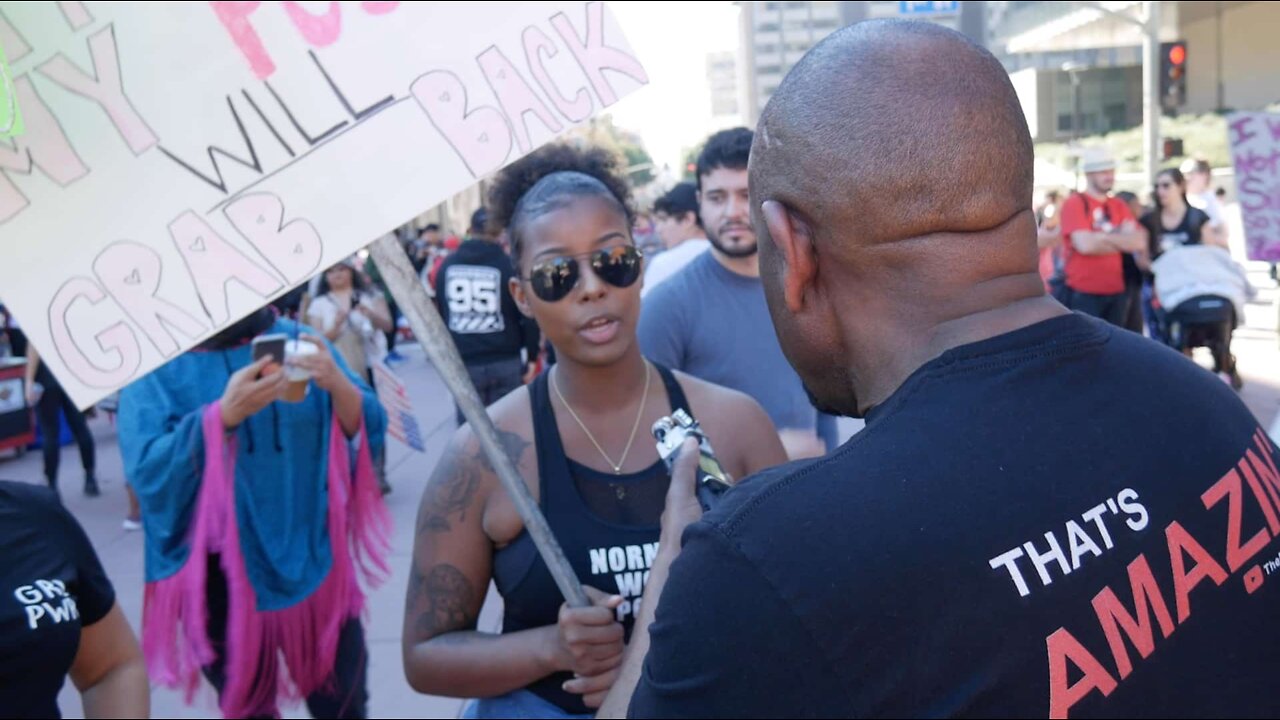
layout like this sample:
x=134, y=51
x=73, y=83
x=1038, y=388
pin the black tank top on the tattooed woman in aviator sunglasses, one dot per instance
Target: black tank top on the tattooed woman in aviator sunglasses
x=605, y=553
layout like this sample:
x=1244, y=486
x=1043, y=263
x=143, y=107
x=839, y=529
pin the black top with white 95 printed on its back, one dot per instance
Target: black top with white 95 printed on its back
x=476, y=304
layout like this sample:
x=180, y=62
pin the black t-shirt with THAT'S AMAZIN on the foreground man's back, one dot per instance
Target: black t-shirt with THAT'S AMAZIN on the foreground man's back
x=977, y=549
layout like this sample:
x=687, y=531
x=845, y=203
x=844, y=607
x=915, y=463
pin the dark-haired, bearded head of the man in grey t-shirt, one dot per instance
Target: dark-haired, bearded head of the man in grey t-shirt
x=724, y=202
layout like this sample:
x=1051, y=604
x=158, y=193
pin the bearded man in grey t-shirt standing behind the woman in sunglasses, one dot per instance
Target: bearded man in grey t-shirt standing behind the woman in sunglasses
x=711, y=320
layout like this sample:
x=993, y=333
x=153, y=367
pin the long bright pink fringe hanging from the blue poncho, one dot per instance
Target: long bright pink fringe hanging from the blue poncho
x=262, y=645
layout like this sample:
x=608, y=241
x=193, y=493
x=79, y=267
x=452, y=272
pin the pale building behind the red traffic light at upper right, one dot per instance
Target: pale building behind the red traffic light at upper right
x=1231, y=61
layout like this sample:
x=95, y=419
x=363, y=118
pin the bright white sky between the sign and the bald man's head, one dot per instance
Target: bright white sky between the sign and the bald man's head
x=673, y=40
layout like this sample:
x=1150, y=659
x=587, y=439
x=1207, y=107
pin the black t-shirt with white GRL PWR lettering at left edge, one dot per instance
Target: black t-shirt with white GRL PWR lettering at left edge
x=52, y=585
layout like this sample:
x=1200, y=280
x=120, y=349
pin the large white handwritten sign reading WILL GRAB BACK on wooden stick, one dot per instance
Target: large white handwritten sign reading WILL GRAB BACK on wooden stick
x=185, y=163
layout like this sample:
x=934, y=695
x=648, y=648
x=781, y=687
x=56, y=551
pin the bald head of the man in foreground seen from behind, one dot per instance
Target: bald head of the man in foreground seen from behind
x=892, y=202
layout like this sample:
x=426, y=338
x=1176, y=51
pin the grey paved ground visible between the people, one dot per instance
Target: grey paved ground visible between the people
x=1255, y=345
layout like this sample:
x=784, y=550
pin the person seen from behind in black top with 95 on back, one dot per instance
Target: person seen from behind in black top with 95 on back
x=477, y=307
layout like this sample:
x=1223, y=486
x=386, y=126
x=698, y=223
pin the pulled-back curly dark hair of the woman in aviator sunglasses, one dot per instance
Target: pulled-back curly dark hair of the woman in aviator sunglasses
x=547, y=180
